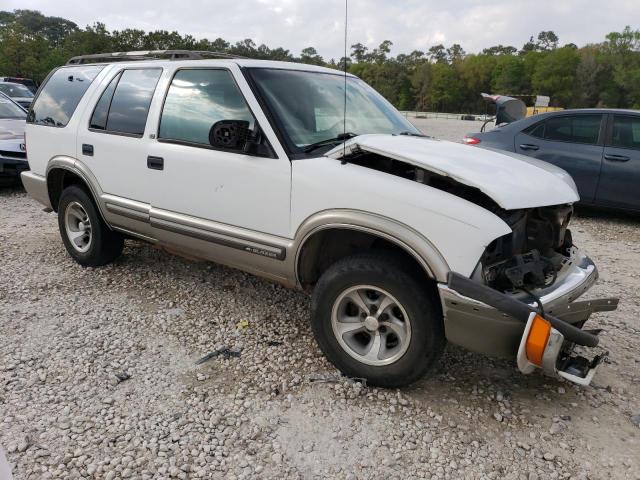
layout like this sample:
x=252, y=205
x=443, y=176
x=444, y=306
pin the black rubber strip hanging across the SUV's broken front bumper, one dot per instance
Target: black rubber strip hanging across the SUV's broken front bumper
x=515, y=308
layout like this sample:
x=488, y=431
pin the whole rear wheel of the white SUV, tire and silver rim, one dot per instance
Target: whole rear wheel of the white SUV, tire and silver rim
x=86, y=237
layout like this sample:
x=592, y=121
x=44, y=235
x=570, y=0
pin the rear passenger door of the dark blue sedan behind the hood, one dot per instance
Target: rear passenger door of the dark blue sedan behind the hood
x=573, y=143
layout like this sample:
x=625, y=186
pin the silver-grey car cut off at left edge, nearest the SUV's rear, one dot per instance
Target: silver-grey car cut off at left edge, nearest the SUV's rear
x=13, y=154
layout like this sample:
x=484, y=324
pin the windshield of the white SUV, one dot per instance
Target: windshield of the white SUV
x=309, y=106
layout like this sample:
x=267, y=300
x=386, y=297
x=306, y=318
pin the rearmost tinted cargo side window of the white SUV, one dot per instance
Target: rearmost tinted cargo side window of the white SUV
x=61, y=94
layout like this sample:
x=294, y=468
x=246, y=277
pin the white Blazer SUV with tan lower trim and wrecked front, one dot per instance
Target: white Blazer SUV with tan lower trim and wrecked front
x=404, y=240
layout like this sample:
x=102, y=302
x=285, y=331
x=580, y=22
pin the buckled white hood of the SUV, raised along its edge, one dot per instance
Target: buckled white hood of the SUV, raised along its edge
x=512, y=181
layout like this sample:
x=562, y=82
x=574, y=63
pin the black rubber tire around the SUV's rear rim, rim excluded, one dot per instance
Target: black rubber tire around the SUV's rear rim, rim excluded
x=105, y=244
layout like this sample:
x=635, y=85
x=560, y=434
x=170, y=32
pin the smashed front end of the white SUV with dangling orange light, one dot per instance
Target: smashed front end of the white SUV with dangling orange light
x=521, y=299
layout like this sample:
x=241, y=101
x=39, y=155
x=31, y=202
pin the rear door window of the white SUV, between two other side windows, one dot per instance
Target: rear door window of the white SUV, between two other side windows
x=124, y=105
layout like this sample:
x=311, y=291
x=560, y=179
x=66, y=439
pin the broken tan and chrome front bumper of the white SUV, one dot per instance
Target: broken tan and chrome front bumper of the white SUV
x=476, y=326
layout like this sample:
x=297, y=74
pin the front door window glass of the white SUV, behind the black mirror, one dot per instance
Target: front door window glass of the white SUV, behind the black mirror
x=198, y=98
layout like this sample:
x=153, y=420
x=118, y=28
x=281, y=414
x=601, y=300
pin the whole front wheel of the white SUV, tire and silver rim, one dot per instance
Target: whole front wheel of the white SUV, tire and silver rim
x=375, y=319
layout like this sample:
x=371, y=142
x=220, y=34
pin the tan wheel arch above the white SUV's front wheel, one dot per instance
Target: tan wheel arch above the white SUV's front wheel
x=330, y=235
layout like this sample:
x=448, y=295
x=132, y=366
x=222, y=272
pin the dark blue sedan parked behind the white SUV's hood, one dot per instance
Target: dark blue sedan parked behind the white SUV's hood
x=600, y=148
